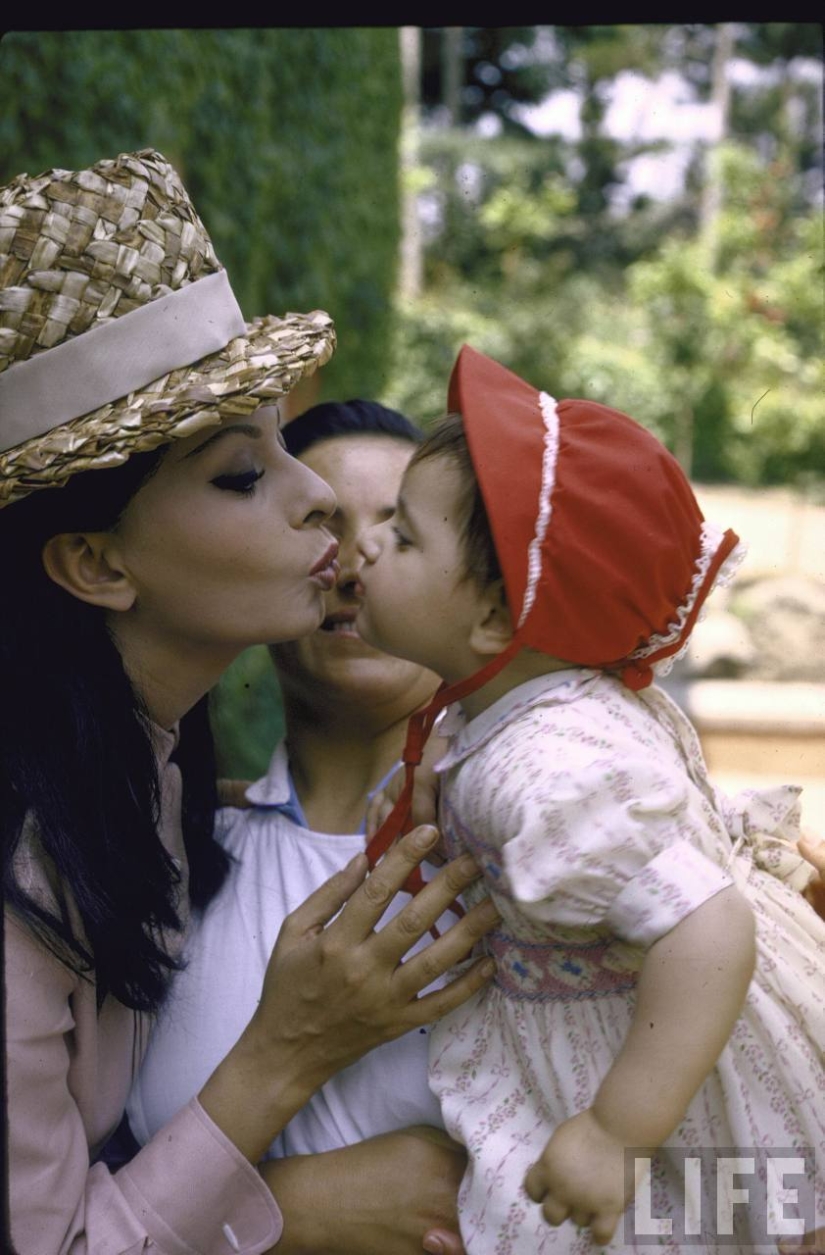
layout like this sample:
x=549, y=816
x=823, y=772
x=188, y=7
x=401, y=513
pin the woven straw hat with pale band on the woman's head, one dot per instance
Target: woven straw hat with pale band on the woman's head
x=119, y=328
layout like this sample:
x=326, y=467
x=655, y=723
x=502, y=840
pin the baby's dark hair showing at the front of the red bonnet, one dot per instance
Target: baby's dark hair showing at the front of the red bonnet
x=446, y=440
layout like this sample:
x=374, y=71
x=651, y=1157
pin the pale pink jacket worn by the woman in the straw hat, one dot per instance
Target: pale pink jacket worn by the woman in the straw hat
x=70, y=1070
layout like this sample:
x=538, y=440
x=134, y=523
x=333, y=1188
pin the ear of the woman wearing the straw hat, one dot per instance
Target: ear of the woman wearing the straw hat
x=86, y=565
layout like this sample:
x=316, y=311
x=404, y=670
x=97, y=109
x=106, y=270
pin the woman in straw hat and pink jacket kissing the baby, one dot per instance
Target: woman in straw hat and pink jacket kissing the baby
x=154, y=528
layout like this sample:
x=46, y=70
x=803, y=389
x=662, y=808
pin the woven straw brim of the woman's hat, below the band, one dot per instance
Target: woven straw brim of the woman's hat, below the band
x=252, y=371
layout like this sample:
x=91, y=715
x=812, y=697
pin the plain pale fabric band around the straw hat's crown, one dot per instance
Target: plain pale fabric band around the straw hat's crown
x=117, y=358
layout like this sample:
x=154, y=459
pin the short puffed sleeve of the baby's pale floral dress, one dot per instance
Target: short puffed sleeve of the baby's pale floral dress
x=601, y=839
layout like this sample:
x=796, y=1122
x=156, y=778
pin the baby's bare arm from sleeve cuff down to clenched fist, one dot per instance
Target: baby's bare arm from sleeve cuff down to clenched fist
x=689, y=998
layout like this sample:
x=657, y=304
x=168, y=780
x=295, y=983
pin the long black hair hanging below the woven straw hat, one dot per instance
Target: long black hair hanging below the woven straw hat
x=77, y=760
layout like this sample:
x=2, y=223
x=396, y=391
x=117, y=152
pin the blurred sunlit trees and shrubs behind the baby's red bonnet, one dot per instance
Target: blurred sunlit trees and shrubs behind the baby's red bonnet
x=536, y=255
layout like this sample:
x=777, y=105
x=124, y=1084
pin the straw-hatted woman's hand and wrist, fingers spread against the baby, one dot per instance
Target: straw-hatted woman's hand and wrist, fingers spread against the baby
x=337, y=990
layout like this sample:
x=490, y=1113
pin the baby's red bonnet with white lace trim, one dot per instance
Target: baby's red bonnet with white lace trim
x=605, y=552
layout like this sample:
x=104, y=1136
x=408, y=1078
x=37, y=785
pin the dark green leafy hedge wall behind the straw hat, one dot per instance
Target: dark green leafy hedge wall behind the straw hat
x=287, y=140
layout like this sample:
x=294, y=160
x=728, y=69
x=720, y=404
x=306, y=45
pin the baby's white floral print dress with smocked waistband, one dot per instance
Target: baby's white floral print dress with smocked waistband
x=592, y=814
